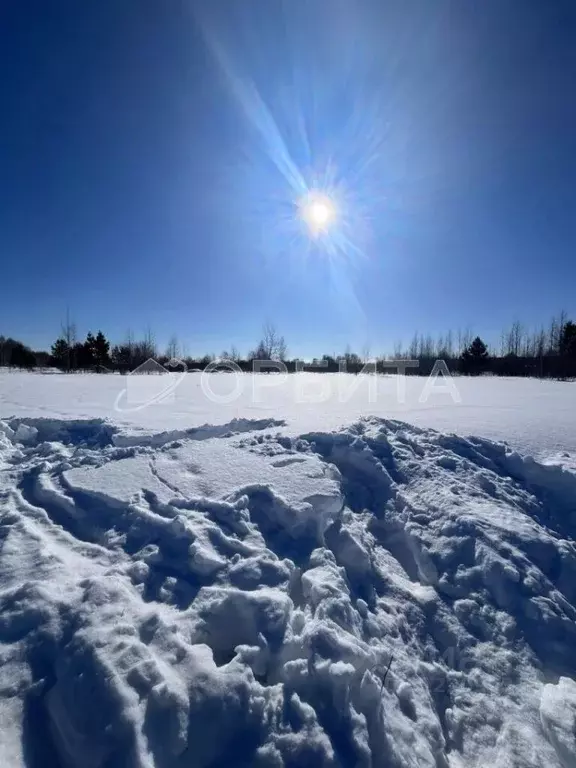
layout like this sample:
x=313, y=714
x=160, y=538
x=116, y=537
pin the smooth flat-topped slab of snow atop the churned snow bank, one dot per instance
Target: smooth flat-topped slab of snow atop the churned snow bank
x=306, y=491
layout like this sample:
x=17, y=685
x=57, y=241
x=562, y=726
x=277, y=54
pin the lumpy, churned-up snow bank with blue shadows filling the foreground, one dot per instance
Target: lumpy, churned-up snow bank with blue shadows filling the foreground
x=383, y=595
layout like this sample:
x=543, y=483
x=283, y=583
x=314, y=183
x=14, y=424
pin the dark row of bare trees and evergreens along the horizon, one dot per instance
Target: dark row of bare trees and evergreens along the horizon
x=545, y=353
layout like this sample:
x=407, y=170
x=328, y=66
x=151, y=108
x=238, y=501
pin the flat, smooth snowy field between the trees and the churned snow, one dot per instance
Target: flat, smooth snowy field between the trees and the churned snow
x=536, y=417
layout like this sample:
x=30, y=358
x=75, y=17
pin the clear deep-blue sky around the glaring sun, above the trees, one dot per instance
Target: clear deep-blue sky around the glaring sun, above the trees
x=152, y=154
